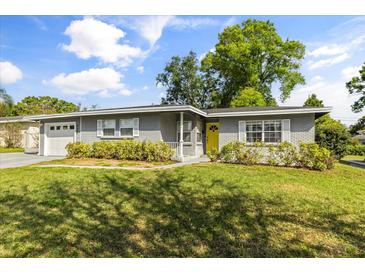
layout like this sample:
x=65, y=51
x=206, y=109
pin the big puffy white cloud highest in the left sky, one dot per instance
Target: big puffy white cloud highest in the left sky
x=93, y=38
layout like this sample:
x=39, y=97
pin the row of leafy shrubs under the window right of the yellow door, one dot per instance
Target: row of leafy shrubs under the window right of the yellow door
x=309, y=156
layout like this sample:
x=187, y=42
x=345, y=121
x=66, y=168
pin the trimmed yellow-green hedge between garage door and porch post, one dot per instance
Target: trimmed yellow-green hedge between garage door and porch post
x=121, y=150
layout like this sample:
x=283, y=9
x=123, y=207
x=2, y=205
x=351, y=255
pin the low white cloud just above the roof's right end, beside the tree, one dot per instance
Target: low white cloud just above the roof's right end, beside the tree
x=333, y=94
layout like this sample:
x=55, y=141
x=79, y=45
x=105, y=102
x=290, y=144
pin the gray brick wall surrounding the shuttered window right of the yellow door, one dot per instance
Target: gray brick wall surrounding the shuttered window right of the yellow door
x=301, y=127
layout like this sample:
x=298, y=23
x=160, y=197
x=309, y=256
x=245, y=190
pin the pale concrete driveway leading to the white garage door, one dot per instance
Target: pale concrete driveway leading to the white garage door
x=20, y=159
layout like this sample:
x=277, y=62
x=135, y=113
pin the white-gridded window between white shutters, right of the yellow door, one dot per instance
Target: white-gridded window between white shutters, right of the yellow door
x=263, y=131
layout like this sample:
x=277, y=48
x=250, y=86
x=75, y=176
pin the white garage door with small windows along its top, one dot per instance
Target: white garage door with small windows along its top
x=57, y=137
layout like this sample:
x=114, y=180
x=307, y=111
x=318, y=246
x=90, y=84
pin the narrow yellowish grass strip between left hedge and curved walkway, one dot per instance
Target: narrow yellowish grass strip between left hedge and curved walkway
x=105, y=162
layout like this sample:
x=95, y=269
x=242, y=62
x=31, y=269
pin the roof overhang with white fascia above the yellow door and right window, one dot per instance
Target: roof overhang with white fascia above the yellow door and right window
x=323, y=110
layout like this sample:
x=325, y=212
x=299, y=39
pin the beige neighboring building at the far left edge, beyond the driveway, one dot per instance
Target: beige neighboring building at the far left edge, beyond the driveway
x=29, y=131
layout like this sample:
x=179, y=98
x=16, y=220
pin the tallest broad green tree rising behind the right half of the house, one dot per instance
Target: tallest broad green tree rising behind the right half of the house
x=254, y=55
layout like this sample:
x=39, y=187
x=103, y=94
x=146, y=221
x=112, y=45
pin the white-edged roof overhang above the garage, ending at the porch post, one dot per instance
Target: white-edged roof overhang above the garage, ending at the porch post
x=119, y=111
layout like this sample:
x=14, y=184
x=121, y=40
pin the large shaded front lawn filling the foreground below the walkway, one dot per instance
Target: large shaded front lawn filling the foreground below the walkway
x=205, y=210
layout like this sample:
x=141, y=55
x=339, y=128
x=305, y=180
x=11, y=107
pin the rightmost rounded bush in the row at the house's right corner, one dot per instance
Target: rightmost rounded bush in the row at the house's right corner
x=313, y=156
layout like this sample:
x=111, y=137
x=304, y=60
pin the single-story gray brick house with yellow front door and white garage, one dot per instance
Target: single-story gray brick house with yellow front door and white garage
x=190, y=131
